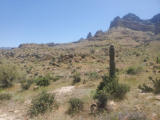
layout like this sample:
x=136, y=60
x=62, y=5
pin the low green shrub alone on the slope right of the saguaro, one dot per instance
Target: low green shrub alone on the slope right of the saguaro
x=134, y=70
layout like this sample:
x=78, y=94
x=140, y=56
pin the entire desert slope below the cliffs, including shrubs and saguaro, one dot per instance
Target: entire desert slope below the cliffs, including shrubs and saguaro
x=111, y=75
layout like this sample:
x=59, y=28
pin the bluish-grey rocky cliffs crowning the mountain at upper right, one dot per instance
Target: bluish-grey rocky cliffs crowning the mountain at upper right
x=132, y=21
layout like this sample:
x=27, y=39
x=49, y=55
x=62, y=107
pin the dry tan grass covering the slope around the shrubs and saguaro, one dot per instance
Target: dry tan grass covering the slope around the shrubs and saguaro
x=129, y=52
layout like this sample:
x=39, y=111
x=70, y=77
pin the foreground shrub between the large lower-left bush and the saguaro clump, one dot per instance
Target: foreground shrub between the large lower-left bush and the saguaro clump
x=76, y=105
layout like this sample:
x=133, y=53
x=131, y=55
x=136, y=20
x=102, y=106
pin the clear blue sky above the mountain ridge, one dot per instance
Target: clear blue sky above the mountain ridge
x=63, y=21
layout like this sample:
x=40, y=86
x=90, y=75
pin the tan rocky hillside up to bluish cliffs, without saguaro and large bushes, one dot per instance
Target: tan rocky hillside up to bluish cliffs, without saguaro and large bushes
x=137, y=60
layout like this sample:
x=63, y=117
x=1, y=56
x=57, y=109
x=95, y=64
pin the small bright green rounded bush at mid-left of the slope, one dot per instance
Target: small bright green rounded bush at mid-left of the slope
x=42, y=81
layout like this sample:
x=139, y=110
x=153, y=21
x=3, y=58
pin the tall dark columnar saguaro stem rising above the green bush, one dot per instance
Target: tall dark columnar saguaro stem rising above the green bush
x=112, y=61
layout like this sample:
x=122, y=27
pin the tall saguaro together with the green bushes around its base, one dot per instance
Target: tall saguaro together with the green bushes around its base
x=110, y=88
